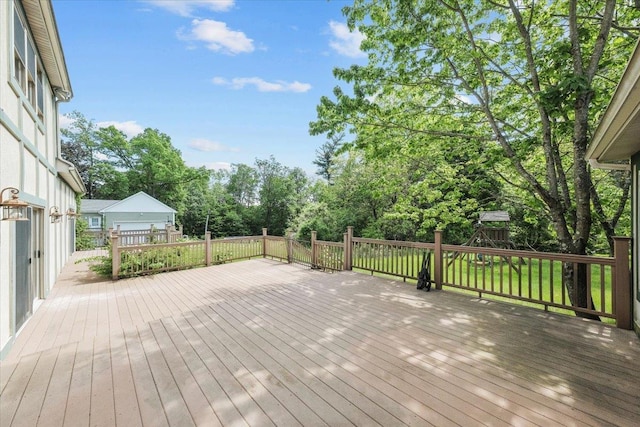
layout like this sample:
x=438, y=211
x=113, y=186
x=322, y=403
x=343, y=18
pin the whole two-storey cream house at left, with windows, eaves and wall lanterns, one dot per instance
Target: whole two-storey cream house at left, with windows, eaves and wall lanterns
x=33, y=80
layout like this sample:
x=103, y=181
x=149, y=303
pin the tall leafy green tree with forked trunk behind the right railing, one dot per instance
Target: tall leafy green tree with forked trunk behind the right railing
x=527, y=78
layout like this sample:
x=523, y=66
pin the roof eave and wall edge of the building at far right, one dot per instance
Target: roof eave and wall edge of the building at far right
x=616, y=145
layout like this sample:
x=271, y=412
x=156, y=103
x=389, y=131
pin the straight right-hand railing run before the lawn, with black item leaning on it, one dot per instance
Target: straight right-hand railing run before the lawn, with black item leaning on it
x=591, y=285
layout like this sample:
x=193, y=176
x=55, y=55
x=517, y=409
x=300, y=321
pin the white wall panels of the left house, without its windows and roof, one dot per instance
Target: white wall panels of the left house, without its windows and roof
x=28, y=150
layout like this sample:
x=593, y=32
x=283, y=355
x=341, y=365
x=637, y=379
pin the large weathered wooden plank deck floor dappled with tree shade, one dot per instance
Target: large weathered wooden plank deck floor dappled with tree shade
x=264, y=343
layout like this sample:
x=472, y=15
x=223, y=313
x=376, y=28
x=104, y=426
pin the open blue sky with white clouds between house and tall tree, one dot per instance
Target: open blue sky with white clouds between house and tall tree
x=228, y=80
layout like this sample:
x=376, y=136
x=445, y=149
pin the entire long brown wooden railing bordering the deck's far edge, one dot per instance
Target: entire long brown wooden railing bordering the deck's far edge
x=588, y=285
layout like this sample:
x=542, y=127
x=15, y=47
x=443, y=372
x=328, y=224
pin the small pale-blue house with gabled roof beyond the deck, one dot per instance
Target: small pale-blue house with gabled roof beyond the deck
x=137, y=212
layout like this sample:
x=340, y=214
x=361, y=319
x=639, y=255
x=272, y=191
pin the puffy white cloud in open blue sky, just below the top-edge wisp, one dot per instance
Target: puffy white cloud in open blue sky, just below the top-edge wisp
x=218, y=37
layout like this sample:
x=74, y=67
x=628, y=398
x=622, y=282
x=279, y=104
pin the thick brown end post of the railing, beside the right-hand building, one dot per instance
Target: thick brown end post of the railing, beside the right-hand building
x=622, y=283
